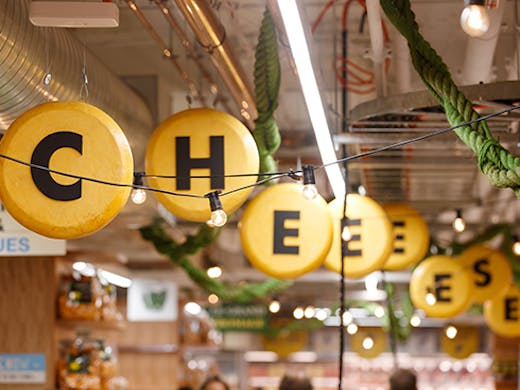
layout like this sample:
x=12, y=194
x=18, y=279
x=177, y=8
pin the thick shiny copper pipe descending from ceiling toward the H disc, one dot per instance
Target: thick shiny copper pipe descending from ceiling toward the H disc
x=212, y=37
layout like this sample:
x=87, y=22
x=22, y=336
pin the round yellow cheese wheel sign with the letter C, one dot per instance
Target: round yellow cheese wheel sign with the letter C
x=74, y=138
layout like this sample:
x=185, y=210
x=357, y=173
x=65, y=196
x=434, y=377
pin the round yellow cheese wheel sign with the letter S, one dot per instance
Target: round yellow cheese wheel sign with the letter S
x=490, y=270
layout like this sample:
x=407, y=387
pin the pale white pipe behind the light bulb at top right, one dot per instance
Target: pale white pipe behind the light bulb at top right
x=480, y=51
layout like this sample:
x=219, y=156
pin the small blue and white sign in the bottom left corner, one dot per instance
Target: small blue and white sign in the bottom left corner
x=22, y=368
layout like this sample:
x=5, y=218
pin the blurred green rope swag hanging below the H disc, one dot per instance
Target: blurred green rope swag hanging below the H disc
x=178, y=254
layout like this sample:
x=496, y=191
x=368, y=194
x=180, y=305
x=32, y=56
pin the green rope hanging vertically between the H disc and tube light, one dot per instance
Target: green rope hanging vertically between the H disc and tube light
x=267, y=86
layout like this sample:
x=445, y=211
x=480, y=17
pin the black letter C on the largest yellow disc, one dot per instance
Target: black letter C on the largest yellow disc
x=41, y=156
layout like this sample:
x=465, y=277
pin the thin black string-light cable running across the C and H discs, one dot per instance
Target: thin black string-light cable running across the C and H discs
x=273, y=176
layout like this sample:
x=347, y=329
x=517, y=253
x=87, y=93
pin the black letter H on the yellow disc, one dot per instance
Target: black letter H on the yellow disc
x=184, y=163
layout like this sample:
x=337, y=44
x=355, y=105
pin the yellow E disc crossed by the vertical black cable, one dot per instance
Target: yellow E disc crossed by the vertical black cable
x=371, y=241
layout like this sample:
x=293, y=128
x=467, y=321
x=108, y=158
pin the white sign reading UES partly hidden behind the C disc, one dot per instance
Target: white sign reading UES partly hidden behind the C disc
x=16, y=240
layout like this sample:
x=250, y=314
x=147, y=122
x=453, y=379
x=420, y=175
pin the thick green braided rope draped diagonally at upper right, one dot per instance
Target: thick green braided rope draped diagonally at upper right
x=500, y=166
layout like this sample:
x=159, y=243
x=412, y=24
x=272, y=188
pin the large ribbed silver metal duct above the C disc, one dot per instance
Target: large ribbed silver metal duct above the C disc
x=27, y=53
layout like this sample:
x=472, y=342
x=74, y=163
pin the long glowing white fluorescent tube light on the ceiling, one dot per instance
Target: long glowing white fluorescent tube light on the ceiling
x=300, y=51
